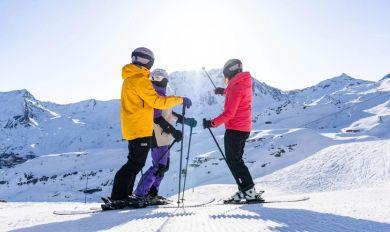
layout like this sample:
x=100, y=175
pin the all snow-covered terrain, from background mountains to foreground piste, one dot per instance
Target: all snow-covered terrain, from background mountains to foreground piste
x=330, y=141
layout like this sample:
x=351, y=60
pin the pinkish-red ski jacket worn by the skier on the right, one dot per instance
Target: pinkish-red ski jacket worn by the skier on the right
x=237, y=114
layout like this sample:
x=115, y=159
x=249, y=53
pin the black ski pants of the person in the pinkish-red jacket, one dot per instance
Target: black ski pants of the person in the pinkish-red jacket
x=234, y=150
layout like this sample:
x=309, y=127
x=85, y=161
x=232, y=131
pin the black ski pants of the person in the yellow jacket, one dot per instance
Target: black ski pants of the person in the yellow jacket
x=125, y=177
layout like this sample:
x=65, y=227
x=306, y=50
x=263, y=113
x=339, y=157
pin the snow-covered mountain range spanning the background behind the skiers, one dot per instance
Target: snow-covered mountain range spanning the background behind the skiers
x=49, y=151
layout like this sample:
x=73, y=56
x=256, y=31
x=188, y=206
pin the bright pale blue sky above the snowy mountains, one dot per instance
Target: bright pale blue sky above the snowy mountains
x=66, y=51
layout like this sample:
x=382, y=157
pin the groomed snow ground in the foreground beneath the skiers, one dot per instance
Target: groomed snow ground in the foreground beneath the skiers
x=348, y=210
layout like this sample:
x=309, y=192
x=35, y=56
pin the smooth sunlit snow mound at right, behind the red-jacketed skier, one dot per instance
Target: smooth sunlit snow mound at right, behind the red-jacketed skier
x=343, y=166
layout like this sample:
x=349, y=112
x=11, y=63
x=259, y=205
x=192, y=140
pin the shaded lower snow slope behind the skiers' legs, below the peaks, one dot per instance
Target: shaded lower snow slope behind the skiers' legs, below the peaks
x=63, y=176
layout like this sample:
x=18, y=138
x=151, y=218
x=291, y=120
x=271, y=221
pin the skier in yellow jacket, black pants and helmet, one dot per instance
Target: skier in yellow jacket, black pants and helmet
x=138, y=99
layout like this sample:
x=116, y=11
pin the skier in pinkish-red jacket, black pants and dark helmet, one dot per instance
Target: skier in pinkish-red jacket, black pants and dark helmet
x=237, y=117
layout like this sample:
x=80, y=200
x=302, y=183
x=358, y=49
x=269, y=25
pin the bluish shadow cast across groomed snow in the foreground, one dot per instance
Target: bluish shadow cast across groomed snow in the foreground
x=288, y=220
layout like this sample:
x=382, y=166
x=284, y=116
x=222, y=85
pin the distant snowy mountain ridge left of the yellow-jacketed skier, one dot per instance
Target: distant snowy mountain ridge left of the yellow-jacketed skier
x=30, y=128
